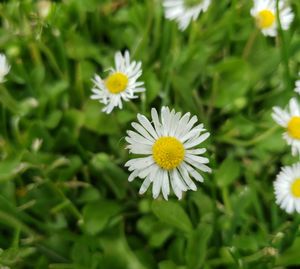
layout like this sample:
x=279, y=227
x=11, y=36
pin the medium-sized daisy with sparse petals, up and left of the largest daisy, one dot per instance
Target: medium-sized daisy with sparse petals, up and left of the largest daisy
x=120, y=85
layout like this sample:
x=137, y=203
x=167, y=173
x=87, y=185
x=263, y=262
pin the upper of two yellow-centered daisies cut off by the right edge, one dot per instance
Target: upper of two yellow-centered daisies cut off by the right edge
x=290, y=120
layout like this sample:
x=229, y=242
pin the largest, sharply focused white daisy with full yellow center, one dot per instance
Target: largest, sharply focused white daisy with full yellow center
x=170, y=154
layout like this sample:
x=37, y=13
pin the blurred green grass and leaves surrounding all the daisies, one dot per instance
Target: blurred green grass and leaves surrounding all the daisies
x=65, y=201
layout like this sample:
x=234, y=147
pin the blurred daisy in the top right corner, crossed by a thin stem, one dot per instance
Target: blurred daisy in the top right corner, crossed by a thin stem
x=264, y=11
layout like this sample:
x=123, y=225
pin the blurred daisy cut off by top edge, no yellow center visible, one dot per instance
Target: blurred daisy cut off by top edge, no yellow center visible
x=184, y=11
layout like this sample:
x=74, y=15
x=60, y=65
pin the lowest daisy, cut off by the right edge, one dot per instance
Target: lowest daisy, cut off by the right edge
x=287, y=188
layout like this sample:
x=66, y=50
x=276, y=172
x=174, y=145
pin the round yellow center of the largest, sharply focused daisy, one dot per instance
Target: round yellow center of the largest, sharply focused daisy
x=168, y=152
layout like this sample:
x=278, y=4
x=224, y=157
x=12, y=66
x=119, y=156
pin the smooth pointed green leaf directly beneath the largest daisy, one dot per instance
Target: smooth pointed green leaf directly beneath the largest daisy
x=172, y=214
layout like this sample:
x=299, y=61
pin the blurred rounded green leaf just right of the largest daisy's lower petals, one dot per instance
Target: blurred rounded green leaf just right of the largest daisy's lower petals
x=228, y=172
